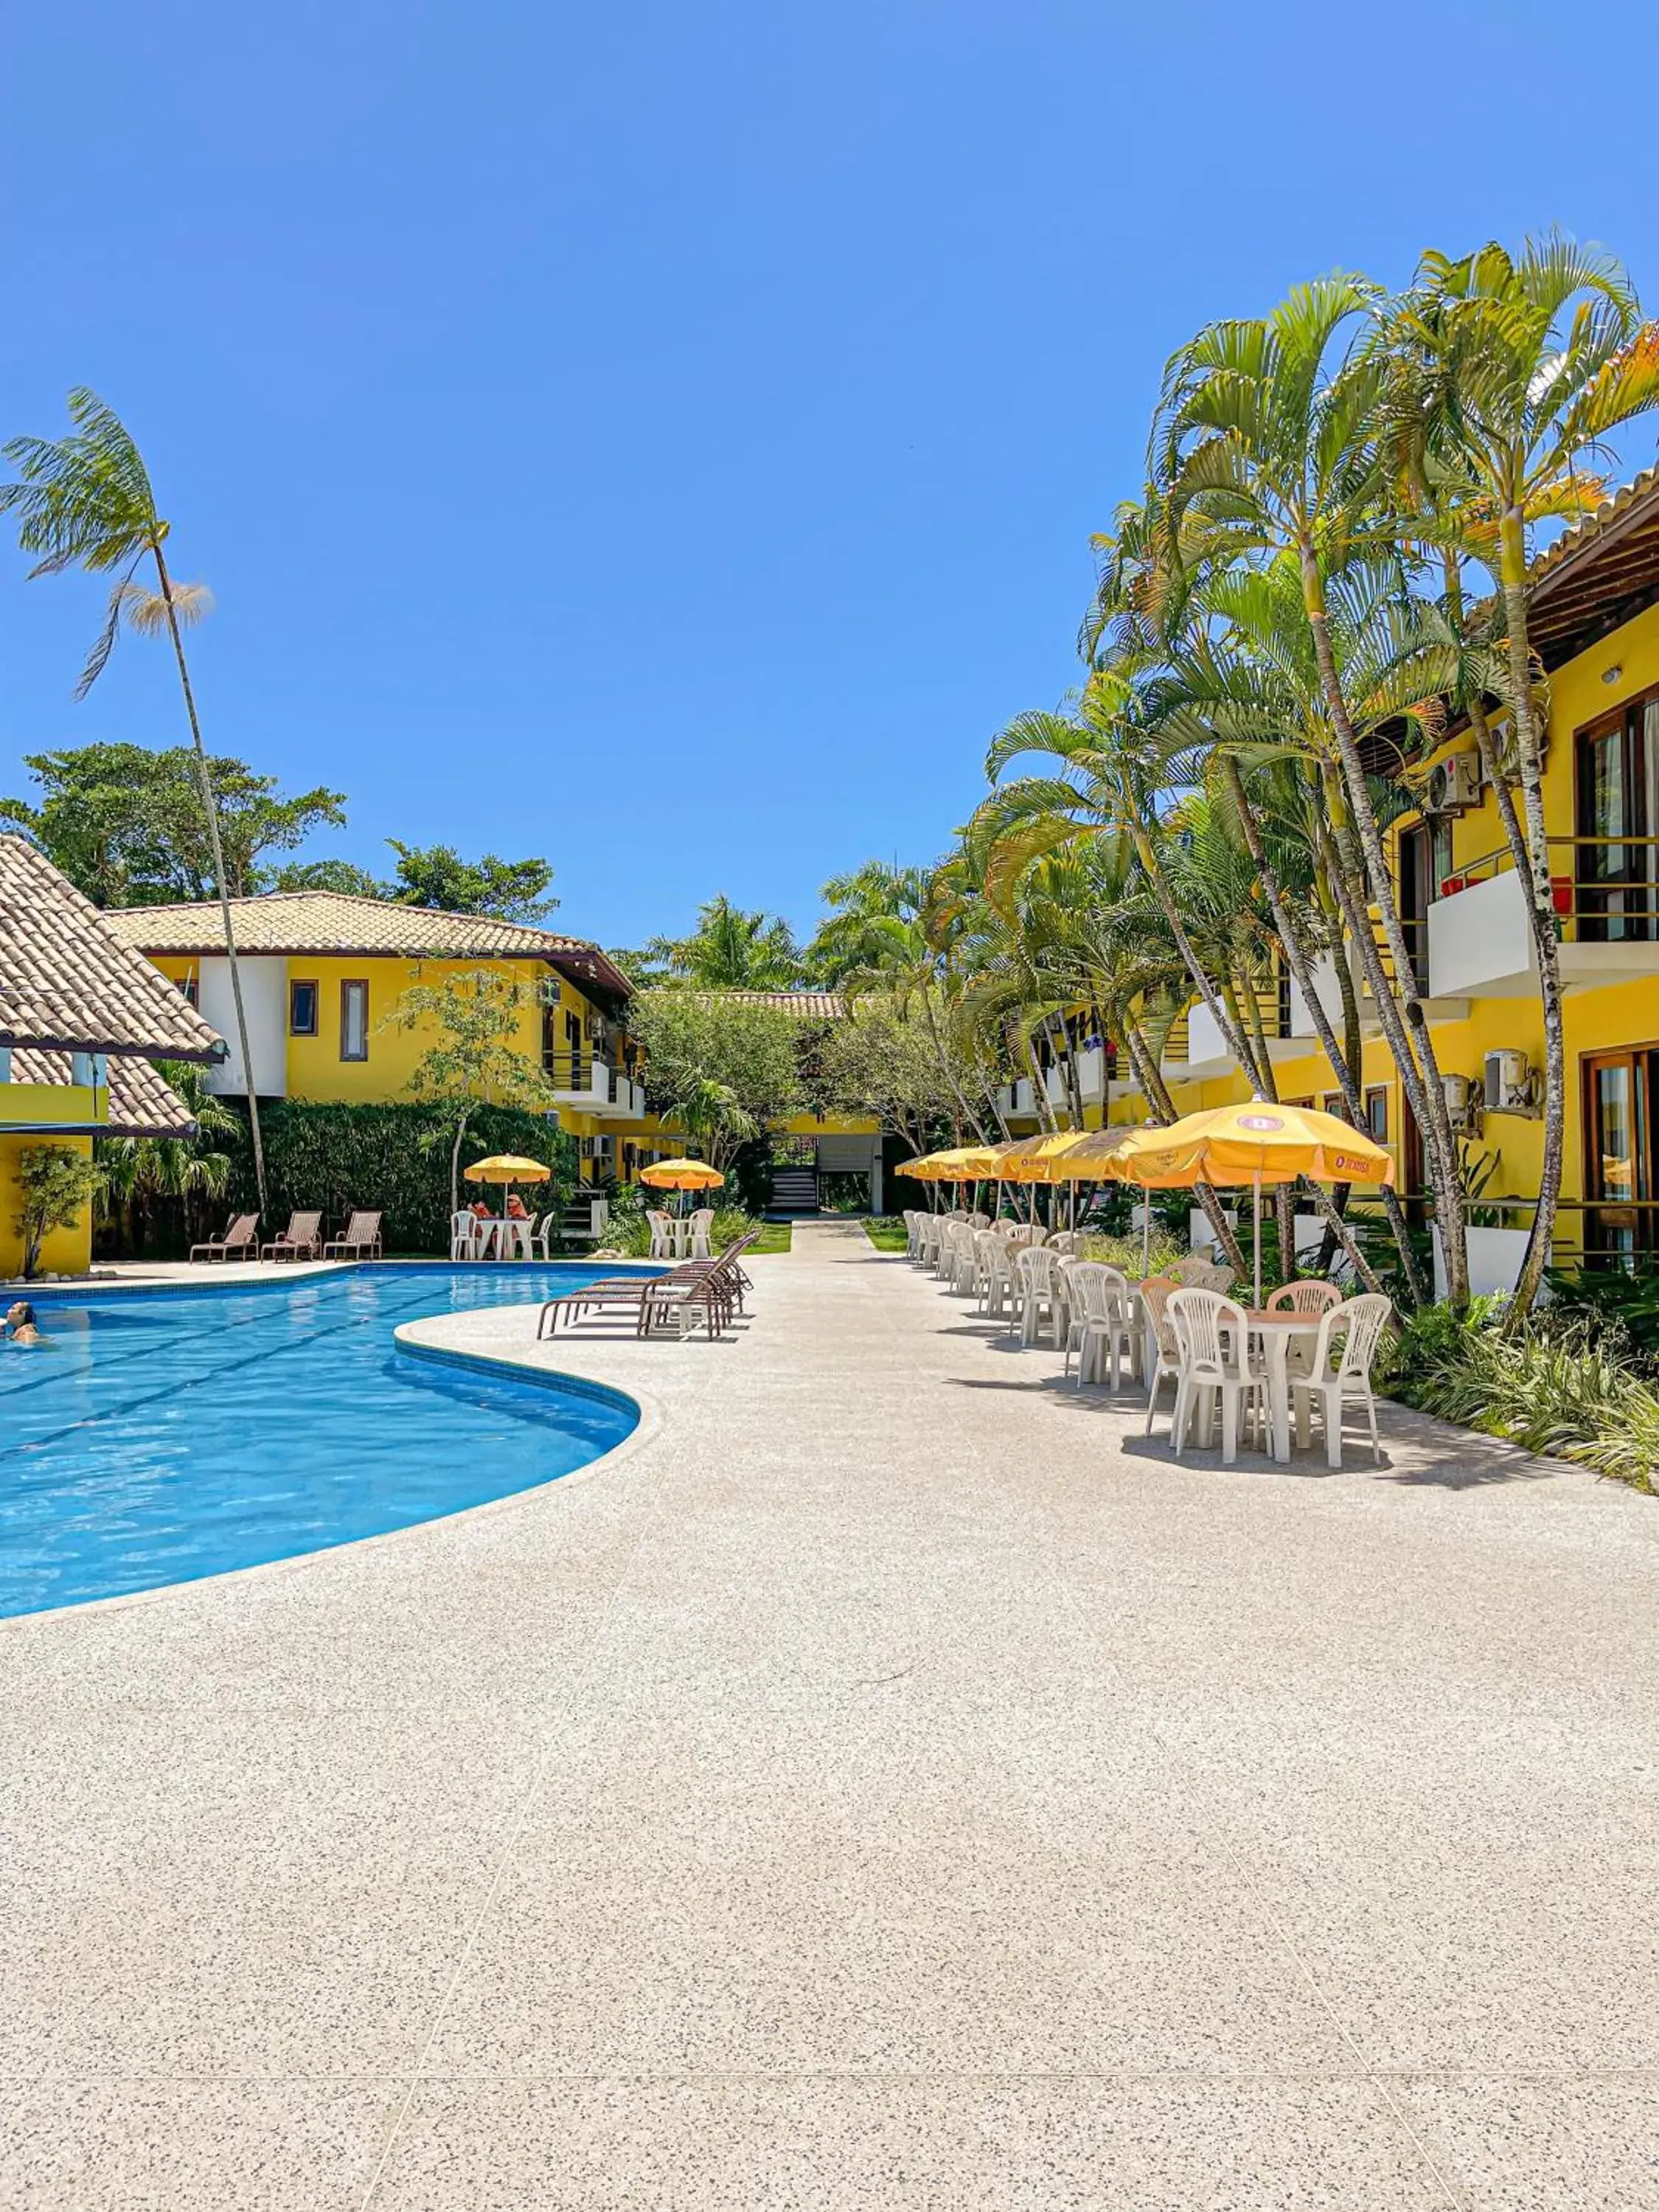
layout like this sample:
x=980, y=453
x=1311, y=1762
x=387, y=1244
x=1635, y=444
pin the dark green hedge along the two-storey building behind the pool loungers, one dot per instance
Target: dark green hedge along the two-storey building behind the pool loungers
x=393, y=1160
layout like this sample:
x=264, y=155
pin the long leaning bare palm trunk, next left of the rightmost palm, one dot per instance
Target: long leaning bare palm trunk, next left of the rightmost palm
x=1432, y=1120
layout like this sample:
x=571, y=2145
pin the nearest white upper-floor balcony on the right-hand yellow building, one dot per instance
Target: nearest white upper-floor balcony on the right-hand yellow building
x=1607, y=917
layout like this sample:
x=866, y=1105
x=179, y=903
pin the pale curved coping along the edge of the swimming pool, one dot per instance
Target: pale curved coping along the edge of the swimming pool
x=647, y=1428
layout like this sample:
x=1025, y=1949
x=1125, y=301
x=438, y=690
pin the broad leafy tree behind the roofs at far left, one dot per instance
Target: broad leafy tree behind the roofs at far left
x=127, y=826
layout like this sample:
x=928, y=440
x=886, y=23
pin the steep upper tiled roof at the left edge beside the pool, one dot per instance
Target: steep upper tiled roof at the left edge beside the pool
x=70, y=981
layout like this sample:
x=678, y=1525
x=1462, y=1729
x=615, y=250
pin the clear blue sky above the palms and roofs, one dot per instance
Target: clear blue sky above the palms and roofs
x=707, y=393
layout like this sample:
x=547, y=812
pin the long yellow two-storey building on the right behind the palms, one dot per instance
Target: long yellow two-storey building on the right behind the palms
x=1596, y=629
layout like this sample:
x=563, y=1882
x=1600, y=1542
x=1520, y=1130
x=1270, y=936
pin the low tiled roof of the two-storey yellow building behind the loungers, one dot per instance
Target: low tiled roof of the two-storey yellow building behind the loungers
x=335, y=924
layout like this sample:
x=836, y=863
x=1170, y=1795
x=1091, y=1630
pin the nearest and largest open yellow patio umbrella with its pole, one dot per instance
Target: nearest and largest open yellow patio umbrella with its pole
x=1253, y=1145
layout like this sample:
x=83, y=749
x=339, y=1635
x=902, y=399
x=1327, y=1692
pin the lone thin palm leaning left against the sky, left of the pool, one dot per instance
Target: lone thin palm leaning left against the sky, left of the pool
x=87, y=503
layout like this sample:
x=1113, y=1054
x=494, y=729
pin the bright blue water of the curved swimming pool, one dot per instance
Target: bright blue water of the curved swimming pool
x=171, y=1434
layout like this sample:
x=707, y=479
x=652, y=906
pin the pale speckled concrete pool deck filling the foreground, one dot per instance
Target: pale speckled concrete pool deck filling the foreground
x=888, y=1782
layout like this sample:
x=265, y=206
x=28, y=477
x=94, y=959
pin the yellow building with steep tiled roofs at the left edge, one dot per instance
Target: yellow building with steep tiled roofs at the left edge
x=81, y=1021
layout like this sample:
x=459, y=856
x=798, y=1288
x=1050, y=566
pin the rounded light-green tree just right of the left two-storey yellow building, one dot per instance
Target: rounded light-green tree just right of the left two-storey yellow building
x=751, y=1054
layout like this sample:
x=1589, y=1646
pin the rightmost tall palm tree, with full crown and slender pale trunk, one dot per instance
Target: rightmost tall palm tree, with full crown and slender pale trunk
x=1505, y=379
